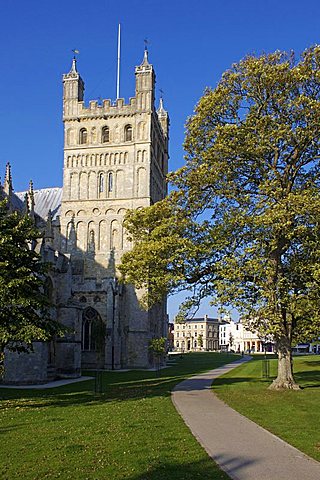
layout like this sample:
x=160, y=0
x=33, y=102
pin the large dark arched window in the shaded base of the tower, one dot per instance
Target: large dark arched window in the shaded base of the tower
x=92, y=330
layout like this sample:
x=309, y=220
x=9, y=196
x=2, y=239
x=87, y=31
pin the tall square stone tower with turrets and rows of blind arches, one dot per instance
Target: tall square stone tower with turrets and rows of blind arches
x=115, y=159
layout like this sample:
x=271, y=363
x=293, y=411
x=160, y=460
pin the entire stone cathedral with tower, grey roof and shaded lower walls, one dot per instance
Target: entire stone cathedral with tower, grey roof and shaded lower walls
x=115, y=159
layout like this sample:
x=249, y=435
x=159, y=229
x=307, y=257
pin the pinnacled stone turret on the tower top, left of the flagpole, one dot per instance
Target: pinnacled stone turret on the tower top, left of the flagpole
x=73, y=90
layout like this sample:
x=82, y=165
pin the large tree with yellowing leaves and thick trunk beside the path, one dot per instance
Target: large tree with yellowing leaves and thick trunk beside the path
x=242, y=225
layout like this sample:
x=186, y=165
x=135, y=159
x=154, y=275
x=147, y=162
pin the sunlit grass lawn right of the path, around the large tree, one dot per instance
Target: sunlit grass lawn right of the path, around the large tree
x=292, y=415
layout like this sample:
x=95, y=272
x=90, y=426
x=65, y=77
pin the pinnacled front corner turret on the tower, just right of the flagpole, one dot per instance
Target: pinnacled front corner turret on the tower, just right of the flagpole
x=145, y=84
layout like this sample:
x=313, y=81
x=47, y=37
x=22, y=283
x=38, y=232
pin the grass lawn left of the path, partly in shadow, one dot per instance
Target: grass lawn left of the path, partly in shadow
x=132, y=431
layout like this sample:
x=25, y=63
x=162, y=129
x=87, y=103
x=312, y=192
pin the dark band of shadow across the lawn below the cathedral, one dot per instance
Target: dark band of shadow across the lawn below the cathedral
x=117, y=386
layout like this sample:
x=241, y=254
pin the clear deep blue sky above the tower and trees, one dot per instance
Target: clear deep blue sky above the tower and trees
x=190, y=45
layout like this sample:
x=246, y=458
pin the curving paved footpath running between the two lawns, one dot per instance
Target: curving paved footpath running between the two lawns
x=243, y=450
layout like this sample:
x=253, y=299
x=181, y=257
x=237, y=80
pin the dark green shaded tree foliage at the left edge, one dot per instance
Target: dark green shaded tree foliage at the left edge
x=24, y=313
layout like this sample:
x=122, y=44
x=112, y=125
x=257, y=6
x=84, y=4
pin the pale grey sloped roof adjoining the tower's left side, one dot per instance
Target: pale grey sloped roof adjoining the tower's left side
x=45, y=199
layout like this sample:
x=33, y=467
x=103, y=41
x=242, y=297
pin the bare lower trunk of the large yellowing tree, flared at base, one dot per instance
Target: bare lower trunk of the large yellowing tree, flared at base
x=284, y=380
